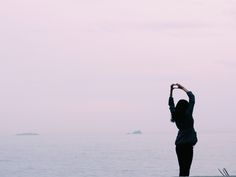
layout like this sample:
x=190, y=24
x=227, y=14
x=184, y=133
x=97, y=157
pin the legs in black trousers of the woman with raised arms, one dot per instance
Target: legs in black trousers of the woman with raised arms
x=185, y=157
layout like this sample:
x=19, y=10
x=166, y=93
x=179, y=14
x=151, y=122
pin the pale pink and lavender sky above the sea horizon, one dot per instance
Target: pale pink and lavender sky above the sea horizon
x=106, y=65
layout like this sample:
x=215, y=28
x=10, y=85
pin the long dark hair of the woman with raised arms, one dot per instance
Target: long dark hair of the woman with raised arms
x=180, y=110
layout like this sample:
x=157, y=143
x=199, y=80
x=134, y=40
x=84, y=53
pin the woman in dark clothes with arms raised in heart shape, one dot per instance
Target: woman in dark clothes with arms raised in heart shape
x=181, y=114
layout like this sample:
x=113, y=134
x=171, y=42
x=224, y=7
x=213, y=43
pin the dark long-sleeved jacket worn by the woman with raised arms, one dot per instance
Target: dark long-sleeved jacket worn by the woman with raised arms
x=186, y=134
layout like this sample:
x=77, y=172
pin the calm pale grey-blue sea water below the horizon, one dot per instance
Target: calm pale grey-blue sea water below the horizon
x=116, y=155
